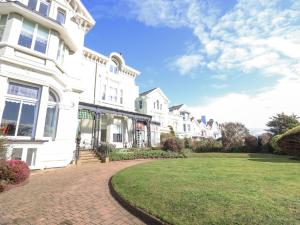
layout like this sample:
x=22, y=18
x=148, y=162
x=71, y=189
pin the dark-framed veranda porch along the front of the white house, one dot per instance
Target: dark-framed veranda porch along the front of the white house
x=124, y=129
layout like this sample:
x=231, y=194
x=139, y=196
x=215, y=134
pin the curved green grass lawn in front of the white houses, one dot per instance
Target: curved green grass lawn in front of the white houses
x=216, y=188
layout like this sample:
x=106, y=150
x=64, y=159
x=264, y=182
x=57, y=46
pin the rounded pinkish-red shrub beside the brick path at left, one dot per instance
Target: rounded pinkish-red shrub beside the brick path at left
x=18, y=171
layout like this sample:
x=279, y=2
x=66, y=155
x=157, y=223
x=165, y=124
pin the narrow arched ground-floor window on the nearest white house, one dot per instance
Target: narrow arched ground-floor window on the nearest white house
x=52, y=115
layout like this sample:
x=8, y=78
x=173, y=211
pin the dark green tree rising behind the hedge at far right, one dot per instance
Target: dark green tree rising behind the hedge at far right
x=281, y=123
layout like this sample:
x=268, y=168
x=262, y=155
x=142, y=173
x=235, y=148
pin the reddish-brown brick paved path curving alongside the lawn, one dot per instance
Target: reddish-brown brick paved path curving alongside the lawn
x=67, y=196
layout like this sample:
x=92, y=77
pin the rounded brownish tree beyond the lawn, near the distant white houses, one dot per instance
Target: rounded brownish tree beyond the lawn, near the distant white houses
x=233, y=134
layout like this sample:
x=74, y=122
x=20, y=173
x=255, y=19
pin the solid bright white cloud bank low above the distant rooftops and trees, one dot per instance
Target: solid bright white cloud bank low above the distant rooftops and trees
x=253, y=111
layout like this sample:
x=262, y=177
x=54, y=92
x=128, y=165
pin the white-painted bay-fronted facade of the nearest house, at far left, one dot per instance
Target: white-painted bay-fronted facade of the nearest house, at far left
x=37, y=57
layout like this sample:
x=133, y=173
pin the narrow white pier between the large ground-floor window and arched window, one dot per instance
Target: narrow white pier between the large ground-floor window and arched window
x=39, y=134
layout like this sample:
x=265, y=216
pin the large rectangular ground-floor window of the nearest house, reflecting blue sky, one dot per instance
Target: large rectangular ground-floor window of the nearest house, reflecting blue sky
x=19, y=115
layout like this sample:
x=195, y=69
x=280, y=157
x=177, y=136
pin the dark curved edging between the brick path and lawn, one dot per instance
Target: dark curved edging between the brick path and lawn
x=139, y=213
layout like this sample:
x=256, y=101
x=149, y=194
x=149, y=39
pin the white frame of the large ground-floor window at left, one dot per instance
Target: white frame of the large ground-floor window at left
x=21, y=100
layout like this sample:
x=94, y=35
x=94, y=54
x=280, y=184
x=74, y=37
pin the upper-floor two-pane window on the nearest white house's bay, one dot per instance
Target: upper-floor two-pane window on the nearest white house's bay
x=34, y=36
